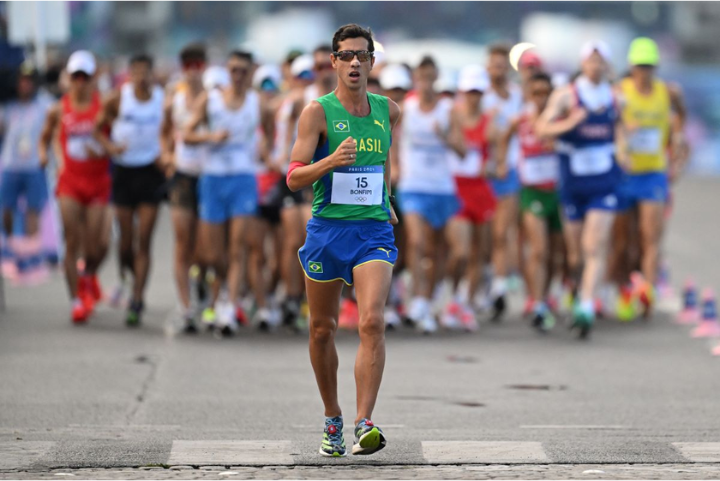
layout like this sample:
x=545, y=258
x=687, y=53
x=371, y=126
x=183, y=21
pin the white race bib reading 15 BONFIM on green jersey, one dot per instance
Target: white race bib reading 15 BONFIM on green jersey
x=358, y=185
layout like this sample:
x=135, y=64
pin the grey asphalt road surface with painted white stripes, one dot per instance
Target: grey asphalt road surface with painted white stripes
x=504, y=402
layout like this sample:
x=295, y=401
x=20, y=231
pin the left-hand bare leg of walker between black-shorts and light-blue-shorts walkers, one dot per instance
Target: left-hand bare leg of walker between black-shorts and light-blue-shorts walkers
x=185, y=226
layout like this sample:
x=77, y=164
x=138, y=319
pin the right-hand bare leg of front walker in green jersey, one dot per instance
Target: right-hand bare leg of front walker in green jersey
x=372, y=286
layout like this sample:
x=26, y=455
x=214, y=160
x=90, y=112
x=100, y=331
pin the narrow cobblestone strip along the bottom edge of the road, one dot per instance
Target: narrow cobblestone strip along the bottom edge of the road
x=539, y=471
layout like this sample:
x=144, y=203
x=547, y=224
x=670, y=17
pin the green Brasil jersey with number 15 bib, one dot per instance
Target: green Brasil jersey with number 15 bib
x=356, y=192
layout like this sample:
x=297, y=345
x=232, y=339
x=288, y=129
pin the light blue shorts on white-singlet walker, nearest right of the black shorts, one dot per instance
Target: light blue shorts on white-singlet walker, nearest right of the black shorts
x=222, y=197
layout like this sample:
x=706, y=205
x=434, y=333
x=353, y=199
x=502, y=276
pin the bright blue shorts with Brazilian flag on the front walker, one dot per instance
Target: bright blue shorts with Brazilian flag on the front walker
x=333, y=248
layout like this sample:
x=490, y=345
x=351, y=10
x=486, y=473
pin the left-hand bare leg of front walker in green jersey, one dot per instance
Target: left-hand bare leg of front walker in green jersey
x=324, y=304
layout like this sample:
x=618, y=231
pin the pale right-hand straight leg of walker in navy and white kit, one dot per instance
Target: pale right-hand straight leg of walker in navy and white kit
x=595, y=239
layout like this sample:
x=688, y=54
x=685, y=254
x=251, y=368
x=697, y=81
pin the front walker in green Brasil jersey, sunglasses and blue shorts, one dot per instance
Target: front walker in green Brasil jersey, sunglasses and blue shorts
x=342, y=150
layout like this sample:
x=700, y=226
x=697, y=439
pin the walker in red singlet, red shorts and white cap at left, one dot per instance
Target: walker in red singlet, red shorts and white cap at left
x=83, y=187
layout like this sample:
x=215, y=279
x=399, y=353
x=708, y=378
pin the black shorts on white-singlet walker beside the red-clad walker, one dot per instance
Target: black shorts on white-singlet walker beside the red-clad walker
x=138, y=185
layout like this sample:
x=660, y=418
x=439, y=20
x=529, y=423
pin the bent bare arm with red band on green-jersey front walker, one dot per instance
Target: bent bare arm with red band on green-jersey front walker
x=311, y=133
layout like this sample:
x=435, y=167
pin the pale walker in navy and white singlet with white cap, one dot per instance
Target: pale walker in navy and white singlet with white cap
x=583, y=117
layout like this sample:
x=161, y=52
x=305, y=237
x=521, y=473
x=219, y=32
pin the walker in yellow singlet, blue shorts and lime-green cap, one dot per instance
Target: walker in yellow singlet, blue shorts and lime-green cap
x=653, y=153
